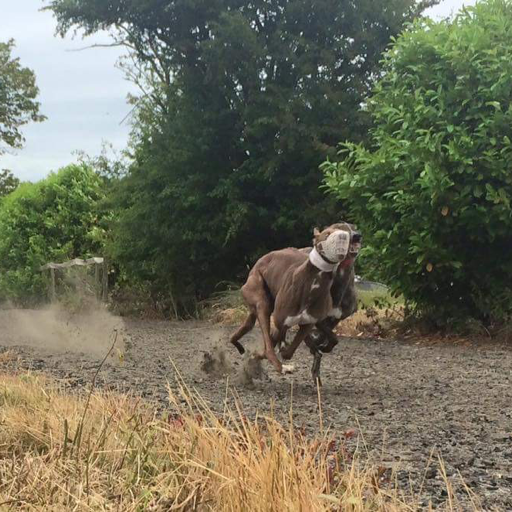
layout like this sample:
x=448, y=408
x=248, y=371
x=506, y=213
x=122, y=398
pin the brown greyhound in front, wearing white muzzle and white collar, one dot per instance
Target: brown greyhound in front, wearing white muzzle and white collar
x=295, y=288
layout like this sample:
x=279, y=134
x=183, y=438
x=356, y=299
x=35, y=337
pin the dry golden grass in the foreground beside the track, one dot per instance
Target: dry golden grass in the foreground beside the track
x=63, y=452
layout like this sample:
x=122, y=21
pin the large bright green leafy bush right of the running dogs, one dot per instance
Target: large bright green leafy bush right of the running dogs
x=433, y=191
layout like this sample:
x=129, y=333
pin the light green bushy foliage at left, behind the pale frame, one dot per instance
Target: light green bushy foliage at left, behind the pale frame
x=55, y=219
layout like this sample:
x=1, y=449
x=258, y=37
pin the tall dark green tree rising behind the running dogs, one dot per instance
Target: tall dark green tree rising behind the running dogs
x=242, y=100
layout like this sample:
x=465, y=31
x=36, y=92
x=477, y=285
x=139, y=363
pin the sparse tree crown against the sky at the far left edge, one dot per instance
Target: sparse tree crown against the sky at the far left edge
x=18, y=93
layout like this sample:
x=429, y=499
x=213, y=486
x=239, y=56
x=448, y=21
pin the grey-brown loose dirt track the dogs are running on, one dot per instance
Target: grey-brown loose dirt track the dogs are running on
x=409, y=401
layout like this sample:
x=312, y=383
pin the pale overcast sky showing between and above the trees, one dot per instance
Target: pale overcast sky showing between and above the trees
x=83, y=94
